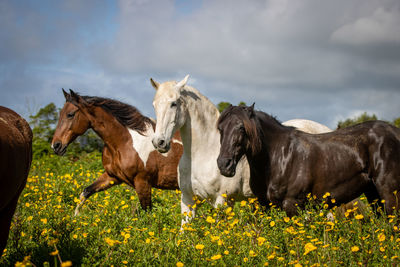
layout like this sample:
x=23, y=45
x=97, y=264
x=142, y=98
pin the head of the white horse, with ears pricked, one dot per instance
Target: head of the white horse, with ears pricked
x=170, y=112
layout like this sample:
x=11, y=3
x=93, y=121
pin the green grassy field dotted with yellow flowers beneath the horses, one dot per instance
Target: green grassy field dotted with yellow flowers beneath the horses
x=113, y=230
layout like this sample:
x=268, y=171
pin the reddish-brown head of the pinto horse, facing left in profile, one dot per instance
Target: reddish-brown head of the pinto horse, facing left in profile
x=72, y=122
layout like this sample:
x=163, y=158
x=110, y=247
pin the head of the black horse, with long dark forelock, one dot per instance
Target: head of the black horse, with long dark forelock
x=235, y=129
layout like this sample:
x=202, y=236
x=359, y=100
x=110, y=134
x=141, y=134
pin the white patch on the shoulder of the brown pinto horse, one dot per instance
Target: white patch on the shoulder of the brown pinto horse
x=142, y=143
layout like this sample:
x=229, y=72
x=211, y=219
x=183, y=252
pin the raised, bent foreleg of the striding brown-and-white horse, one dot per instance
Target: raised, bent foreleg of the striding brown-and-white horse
x=102, y=183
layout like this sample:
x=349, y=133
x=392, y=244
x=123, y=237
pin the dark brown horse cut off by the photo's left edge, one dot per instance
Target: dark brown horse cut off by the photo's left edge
x=15, y=162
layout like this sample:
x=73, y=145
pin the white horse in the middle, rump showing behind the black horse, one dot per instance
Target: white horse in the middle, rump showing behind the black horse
x=181, y=107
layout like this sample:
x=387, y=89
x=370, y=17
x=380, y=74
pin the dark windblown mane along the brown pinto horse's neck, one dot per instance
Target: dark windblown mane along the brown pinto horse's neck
x=126, y=114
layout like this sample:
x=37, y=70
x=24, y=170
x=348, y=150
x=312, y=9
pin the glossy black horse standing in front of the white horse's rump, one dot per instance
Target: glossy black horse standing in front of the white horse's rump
x=286, y=165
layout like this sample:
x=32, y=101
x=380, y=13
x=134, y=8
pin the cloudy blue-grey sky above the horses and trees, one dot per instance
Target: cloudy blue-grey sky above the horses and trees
x=313, y=59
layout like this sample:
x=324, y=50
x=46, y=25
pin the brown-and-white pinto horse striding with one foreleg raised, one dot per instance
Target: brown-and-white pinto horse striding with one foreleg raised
x=128, y=154
